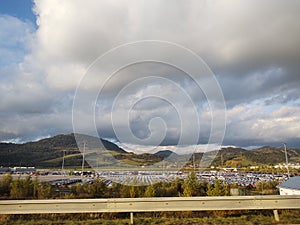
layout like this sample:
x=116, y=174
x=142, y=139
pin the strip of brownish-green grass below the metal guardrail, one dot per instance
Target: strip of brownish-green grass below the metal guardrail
x=182, y=218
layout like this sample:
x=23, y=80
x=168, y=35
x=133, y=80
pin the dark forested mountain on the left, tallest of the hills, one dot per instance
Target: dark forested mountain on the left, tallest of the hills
x=48, y=152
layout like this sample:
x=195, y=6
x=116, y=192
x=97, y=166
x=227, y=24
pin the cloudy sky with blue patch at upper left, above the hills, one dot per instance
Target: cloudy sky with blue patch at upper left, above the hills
x=55, y=55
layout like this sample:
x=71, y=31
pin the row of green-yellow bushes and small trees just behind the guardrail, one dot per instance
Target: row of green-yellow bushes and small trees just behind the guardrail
x=31, y=188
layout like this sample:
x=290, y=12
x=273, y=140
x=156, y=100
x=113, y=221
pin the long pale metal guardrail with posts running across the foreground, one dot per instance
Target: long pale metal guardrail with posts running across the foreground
x=166, y=204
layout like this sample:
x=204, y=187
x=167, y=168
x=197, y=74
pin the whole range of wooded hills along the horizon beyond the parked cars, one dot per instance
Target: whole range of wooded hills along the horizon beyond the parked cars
x=48, y=153
